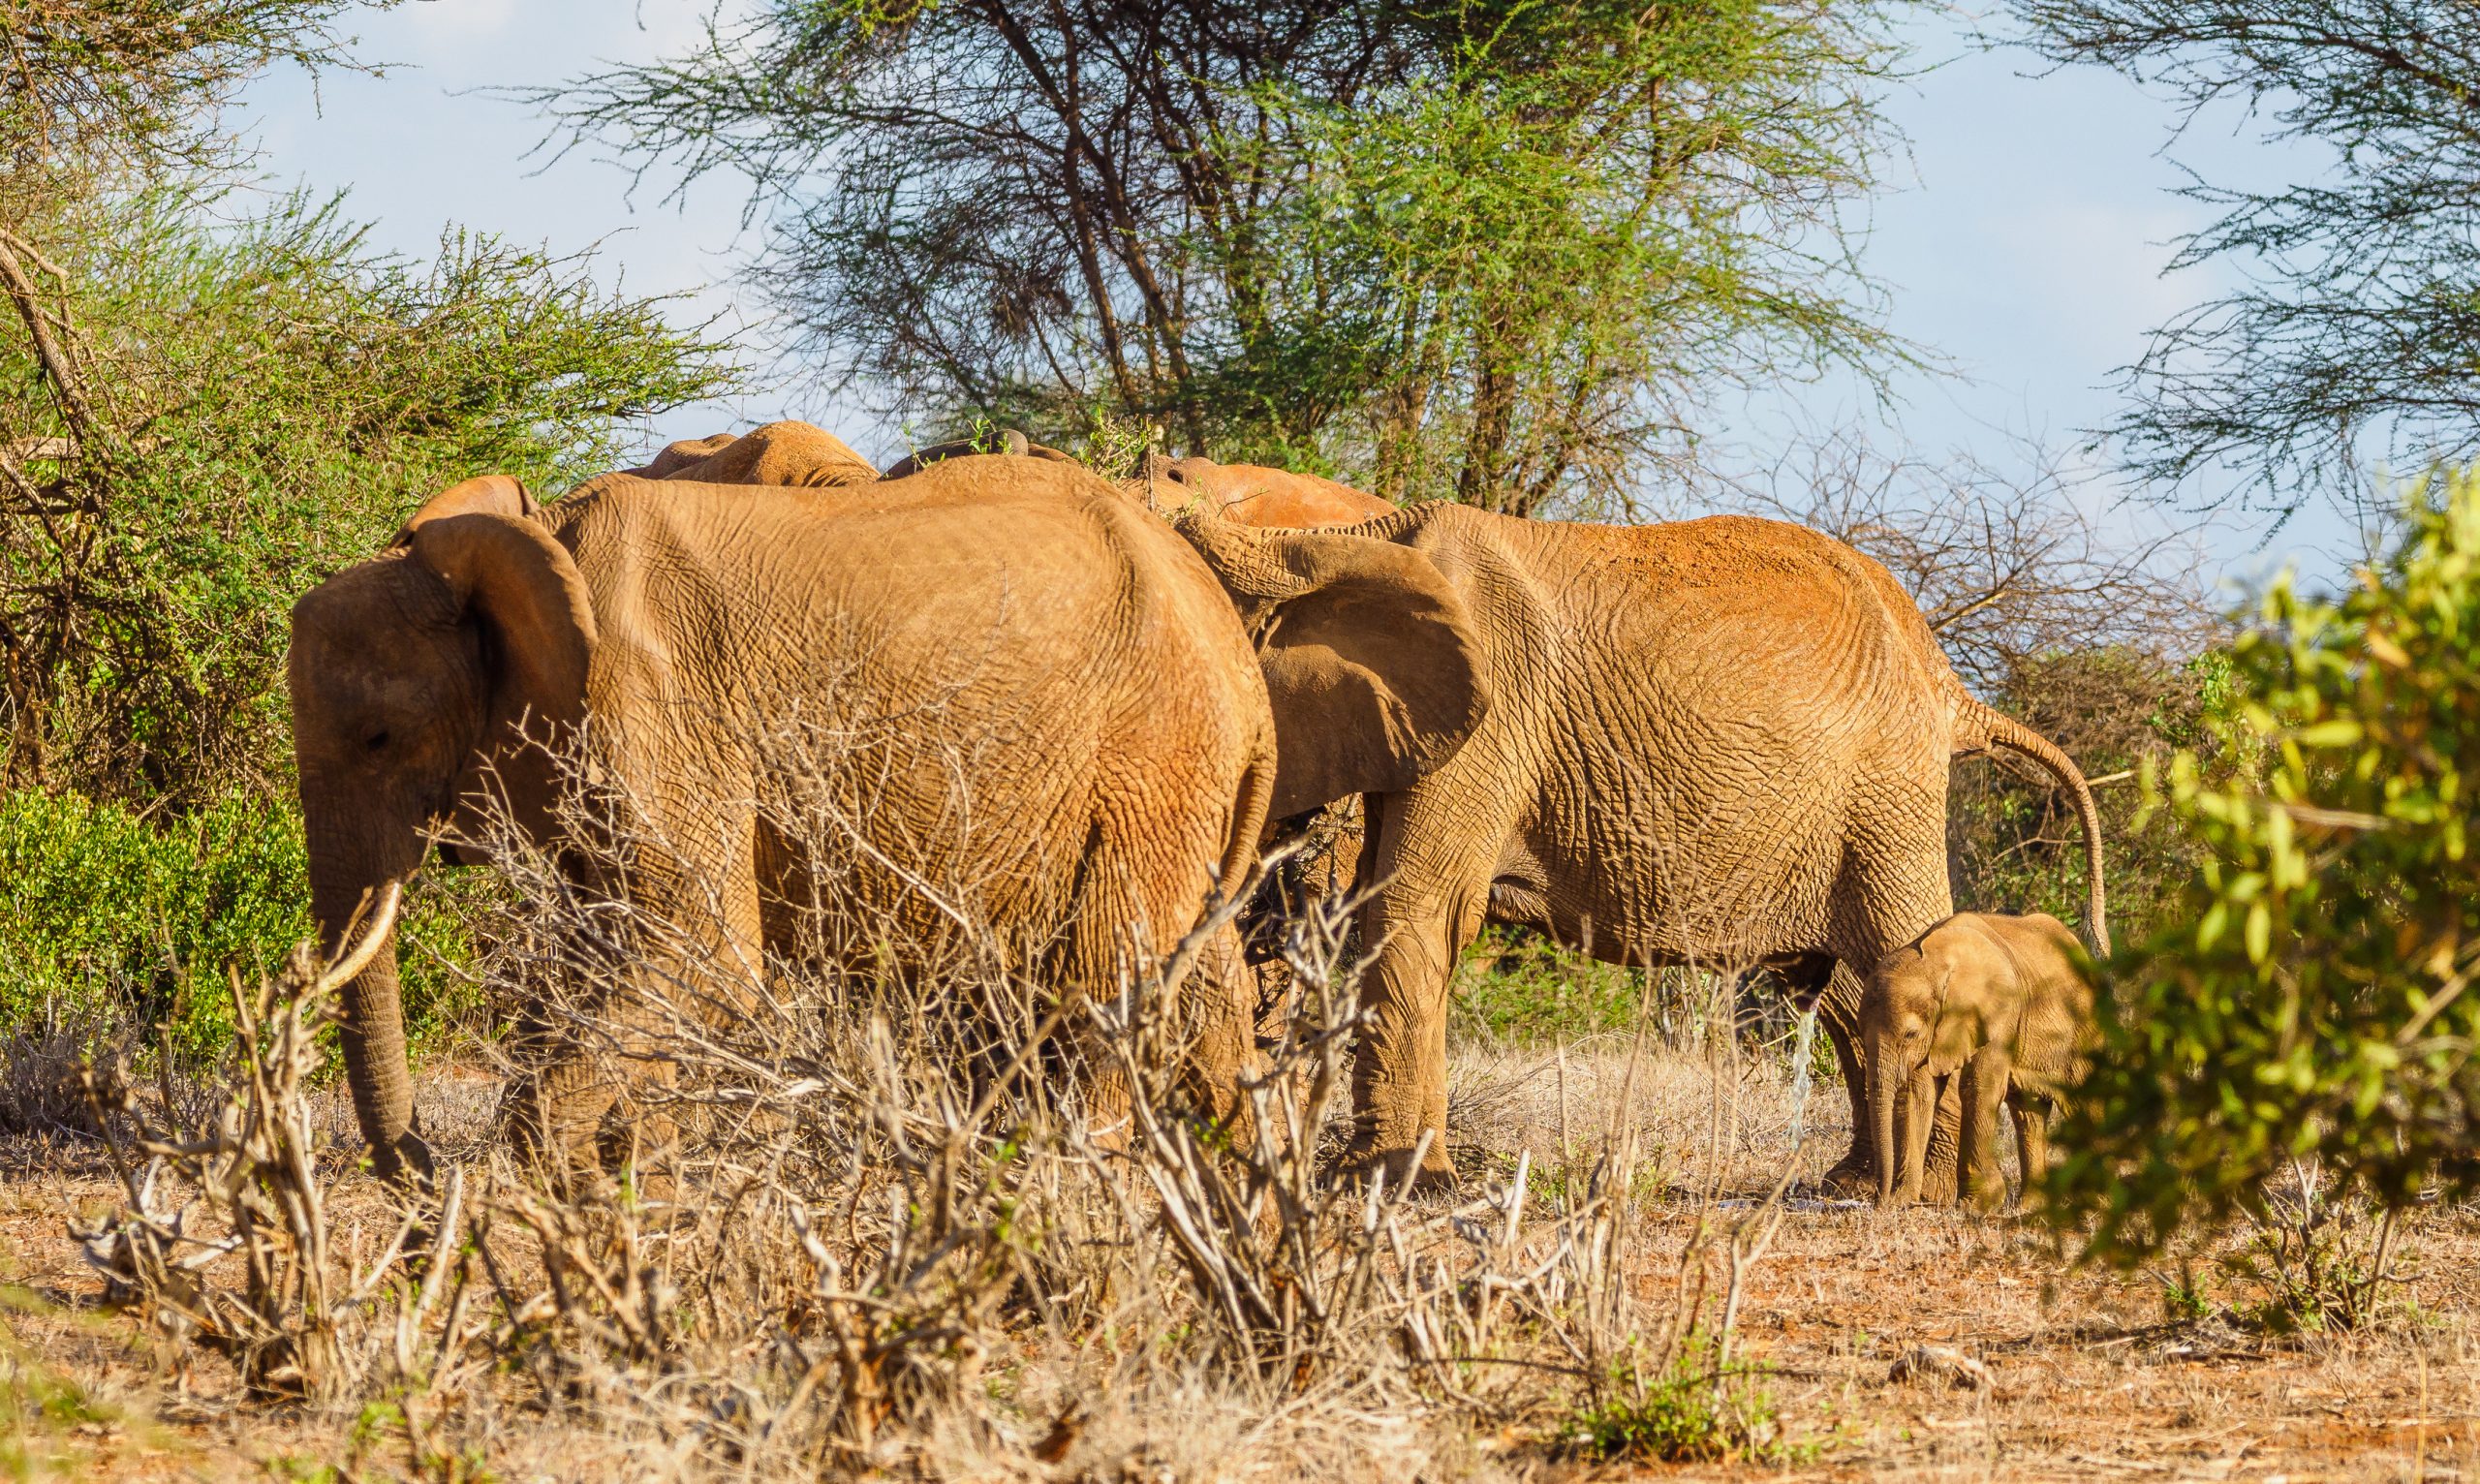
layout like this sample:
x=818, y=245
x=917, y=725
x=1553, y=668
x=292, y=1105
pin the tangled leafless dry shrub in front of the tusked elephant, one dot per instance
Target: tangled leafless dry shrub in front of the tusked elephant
x=939, y=1220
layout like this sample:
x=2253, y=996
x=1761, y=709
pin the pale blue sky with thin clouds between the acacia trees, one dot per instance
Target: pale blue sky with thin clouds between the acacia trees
x=2022, y=239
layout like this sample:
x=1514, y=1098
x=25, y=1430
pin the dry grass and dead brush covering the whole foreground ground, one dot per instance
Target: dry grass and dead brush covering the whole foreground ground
x=862, y=1245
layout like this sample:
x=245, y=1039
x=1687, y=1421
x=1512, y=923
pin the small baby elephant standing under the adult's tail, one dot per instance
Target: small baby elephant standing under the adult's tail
x=2000, y=1001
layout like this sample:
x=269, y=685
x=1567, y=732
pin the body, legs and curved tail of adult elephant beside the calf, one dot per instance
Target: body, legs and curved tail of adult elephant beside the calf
x=1717, y=743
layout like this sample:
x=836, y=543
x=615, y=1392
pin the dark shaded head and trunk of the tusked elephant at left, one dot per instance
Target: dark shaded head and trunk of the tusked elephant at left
x=425, y=681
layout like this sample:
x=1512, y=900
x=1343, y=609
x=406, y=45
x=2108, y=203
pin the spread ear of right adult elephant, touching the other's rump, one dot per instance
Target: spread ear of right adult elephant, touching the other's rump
x=1370, y=656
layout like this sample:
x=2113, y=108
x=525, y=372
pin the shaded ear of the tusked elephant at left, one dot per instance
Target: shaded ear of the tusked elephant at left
x=529, y=597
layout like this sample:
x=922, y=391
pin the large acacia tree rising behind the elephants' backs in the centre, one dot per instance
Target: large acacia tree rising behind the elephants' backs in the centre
x=1464, y=247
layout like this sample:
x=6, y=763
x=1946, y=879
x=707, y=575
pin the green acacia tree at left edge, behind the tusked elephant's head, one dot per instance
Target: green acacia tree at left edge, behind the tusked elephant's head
x=202, y=416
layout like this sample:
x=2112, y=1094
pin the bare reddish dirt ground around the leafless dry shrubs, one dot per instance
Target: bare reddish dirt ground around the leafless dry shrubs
x=2079, y=1374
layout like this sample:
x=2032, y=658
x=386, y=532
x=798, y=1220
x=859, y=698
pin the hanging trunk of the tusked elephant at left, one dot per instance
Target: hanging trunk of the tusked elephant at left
x=373, y=1031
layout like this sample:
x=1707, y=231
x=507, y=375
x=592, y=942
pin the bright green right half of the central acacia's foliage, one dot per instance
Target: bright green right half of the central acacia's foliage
x=1519, y=262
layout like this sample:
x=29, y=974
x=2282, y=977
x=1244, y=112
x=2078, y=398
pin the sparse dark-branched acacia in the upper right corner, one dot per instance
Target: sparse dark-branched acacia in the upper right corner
x=2360, y=297
